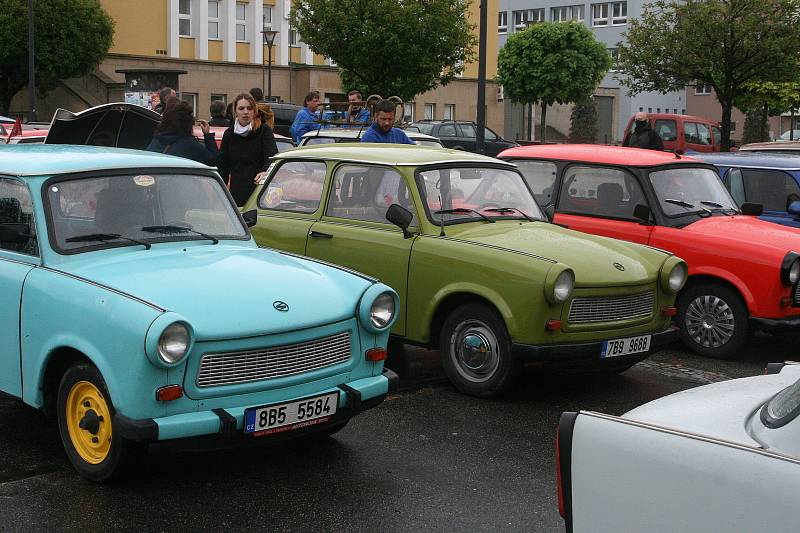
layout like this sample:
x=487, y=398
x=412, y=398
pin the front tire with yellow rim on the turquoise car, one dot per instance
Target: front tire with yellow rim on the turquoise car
x=85, y=422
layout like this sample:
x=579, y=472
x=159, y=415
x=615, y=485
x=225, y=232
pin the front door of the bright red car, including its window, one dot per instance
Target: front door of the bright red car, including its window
x=601, y=201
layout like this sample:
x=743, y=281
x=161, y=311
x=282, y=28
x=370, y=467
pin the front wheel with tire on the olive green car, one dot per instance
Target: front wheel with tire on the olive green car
x=476, y=352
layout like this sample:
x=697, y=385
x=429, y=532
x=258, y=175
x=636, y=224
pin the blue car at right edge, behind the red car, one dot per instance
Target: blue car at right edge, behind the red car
x=772, y=180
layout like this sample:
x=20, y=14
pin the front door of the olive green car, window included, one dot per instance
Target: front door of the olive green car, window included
x=354, y=231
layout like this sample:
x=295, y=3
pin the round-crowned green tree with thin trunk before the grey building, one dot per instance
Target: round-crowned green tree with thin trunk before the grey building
x=551, y=62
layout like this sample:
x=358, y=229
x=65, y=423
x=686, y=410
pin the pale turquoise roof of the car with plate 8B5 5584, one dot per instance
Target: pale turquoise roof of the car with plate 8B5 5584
x=39, y=159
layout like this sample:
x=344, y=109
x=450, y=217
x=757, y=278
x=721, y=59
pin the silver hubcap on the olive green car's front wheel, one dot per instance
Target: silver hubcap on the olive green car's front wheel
x=474, y=351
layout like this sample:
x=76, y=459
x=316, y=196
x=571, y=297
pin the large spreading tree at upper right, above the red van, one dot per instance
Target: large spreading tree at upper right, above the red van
x=721, y=43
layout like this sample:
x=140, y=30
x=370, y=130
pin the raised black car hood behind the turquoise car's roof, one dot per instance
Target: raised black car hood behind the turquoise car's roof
x=118, y=124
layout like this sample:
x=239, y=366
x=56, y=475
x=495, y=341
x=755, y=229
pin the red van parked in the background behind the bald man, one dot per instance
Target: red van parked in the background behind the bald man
x=683, y=132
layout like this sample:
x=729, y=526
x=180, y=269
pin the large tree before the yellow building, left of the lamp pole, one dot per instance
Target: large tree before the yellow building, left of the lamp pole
x=388, y=47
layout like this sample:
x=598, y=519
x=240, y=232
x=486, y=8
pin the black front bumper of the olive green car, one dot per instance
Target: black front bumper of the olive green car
x=588, y=352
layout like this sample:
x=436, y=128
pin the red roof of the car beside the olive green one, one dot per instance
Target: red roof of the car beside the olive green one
x=595, y=153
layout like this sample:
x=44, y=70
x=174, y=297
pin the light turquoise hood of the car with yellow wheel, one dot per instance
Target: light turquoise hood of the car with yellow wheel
x=227, y=291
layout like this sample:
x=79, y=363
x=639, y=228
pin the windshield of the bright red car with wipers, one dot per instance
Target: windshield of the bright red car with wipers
x=687, y=190
